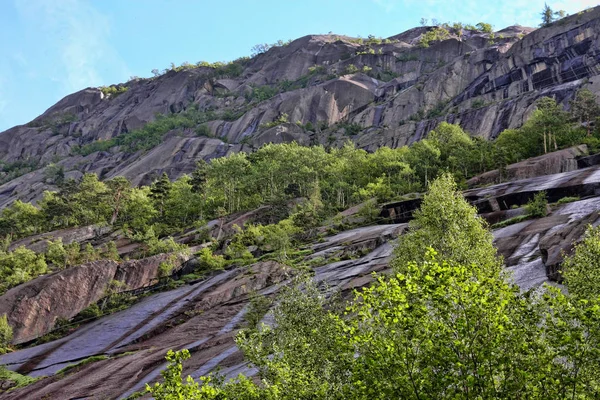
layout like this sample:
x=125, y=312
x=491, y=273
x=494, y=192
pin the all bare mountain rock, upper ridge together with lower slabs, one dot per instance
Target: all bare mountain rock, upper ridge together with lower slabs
x=316, y=90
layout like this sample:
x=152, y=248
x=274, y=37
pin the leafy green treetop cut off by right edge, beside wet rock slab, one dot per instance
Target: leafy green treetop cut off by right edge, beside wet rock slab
x=581, y=270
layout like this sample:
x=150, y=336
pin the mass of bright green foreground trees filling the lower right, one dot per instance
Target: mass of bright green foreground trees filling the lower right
x=436, y=328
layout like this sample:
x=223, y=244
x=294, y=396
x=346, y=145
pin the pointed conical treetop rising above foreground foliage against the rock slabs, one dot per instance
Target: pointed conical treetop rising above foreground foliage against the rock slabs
x=448, y=224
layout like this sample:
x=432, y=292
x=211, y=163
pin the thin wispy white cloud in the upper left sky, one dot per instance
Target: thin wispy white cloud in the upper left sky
x=74, y=38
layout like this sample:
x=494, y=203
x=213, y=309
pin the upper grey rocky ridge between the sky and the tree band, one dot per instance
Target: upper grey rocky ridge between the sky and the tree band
x=316, y=89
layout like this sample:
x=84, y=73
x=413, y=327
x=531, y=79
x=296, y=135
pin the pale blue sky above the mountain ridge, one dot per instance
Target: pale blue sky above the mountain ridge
x=51, y=48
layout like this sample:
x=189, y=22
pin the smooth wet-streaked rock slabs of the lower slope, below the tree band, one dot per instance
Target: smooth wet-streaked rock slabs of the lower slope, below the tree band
x=203, y=316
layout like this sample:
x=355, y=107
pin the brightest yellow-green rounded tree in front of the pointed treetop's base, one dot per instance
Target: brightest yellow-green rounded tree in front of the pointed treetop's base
x=441, y=330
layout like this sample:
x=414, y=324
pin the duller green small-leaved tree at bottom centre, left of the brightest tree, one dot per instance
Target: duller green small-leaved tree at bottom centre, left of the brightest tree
x=304, y=354
